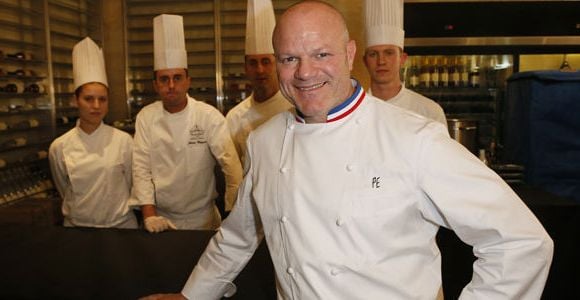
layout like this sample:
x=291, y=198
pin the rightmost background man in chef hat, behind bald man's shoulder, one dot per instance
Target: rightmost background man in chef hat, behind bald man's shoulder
x=384, y=58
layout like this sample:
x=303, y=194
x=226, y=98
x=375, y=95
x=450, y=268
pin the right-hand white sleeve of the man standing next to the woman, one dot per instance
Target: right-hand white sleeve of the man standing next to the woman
x=223, y=149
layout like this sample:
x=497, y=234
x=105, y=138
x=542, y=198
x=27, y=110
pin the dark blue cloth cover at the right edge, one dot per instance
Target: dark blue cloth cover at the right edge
x=542, y=129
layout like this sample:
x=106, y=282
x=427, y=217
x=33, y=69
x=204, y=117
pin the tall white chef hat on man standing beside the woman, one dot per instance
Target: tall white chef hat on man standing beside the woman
x=169, y=43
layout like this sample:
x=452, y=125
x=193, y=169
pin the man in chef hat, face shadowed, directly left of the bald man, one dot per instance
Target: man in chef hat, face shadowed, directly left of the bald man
x=266, y=99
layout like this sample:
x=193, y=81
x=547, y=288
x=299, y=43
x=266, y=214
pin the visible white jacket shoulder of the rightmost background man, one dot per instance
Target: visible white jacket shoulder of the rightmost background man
x=418, y=103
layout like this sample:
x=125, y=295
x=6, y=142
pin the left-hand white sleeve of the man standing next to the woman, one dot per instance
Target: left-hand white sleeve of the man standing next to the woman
x=143, y=190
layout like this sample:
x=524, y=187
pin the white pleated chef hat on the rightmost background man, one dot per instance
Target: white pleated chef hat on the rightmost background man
x=384, y=22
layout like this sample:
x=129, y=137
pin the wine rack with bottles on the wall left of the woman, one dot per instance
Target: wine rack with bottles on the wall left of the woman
x=36, y=40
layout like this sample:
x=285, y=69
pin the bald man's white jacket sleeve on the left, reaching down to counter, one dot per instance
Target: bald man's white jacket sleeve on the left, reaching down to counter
x=228, y=251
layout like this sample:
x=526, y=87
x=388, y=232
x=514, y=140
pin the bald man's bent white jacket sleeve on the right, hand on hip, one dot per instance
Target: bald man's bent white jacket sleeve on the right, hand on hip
x=513, y=250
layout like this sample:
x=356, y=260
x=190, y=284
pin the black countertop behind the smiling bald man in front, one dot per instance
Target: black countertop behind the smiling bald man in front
x=51, y=262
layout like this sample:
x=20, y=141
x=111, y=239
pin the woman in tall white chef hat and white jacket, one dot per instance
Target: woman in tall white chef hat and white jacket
x=91, y=163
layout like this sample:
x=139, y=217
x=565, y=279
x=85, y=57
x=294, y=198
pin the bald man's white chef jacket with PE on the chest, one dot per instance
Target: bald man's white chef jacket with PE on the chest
x=350, y=210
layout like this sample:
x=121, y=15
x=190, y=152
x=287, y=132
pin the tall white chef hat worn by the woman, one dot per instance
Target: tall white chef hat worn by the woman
x=88, y=63
